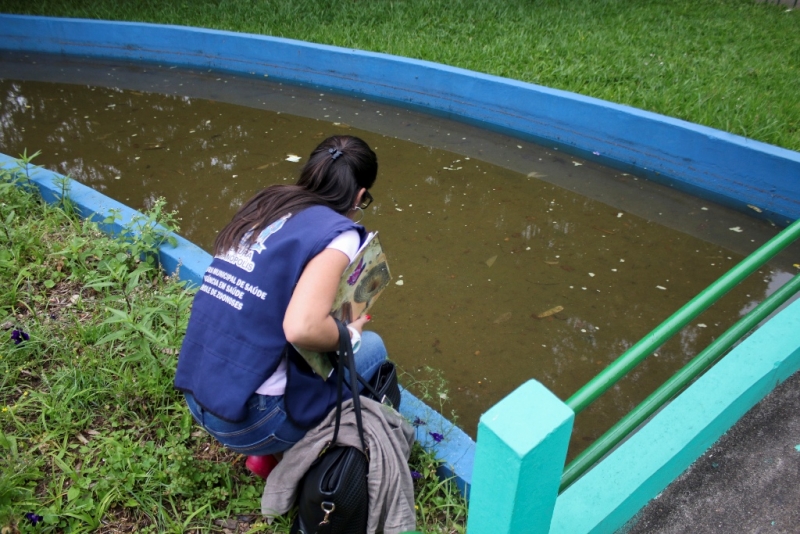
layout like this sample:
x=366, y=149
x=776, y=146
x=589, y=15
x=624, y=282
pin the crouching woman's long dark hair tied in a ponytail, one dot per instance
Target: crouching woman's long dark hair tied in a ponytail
x=325, y=180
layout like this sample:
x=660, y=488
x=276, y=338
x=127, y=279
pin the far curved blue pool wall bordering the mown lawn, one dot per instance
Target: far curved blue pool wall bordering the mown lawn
x=722, y=167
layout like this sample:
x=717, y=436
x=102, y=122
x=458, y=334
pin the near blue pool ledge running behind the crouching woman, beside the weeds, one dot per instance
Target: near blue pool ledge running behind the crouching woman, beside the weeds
x=456, y=449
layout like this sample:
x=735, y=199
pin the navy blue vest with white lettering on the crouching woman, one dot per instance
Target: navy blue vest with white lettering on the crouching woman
x=234, y=340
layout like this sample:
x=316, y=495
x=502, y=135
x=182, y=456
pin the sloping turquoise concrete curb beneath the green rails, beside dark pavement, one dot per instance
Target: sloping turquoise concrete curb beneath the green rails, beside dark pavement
x=645, y=464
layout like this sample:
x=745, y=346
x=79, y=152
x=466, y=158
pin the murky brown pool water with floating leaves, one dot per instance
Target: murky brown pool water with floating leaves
x=487, y=233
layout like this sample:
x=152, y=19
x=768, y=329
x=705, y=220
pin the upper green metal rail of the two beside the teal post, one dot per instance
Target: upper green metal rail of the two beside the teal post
x=637, y=353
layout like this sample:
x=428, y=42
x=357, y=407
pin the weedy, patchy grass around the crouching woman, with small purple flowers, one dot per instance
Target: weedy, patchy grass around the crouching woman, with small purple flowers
x=93, y=437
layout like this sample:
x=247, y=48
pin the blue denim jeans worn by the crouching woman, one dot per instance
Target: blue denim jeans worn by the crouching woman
x=267, y=429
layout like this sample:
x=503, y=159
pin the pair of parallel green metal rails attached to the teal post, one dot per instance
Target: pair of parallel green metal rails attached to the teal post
x=637, y=353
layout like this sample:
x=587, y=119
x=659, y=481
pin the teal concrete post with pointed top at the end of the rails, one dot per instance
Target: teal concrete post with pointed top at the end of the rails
x=519, y=457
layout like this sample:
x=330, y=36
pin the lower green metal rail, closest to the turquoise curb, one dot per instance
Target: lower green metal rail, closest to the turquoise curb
x=676, y=383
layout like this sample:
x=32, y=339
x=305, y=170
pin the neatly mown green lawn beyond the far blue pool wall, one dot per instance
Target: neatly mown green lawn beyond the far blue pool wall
x=728, y=64
